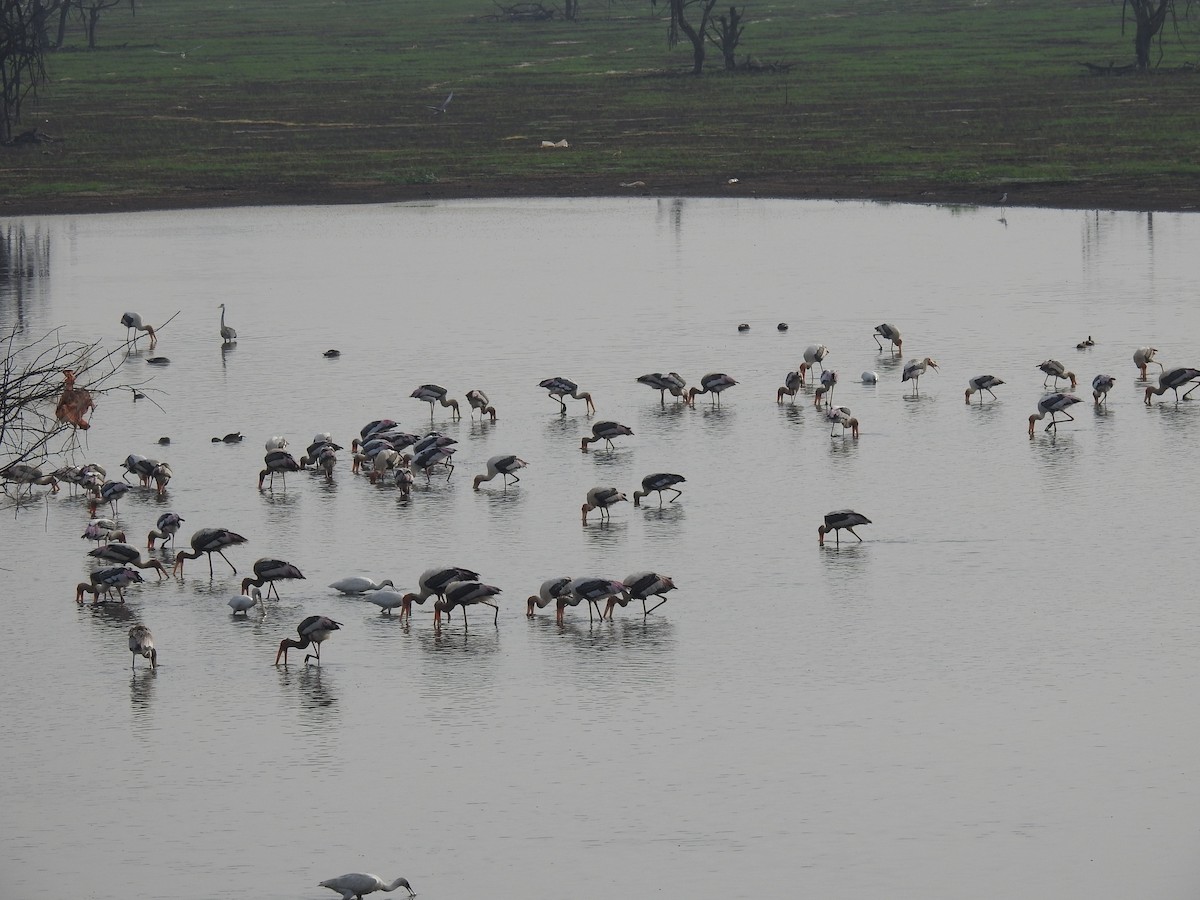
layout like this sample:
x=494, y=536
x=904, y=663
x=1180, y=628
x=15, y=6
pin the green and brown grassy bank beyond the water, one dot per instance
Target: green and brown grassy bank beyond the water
x=319, y=100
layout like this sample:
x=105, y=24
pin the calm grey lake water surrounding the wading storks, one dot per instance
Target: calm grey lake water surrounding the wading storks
x=992, y=697
